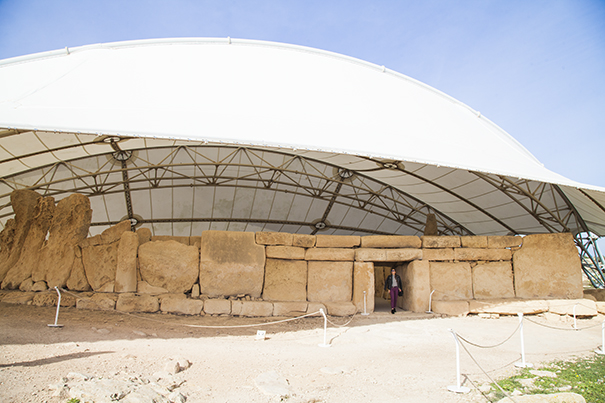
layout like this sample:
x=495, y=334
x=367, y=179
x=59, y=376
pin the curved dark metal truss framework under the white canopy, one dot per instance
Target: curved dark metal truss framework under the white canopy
x=245, y=167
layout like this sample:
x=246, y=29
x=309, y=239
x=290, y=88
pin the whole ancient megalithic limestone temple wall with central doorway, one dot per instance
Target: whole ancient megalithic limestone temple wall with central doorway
x=271, y=273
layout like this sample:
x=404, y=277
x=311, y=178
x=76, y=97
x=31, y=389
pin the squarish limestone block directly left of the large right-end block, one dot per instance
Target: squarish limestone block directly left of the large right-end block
x=493, y=280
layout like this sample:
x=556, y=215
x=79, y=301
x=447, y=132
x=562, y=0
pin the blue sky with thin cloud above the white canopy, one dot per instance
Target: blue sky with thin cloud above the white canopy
x=535, y=68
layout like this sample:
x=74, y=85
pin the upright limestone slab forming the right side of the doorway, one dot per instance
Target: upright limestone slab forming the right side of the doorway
x=416, y=286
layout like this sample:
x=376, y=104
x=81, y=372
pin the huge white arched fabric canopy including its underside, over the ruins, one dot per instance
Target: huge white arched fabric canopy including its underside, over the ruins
x=191, y=134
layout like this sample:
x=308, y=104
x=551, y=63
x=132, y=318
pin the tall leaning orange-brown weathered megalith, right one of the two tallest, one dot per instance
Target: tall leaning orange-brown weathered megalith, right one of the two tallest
x=69, y=227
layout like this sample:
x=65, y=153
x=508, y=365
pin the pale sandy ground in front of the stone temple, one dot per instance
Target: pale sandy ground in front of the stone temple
x=376, y=358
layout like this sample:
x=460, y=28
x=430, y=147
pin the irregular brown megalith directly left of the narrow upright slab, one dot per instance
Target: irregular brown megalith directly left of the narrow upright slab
x=100, y=256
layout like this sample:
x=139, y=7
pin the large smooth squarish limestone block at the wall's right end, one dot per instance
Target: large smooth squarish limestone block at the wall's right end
x=548, y=265
